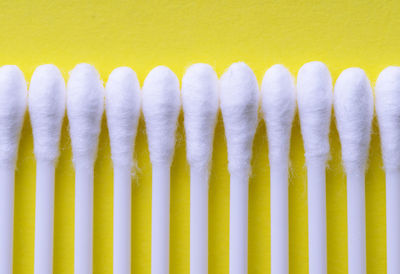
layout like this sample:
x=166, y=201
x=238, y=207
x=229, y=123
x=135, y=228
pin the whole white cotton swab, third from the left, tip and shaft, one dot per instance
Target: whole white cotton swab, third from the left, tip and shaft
x=85, y=104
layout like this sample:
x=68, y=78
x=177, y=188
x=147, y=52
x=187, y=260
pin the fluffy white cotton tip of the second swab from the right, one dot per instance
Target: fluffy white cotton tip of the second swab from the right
x=354, y=107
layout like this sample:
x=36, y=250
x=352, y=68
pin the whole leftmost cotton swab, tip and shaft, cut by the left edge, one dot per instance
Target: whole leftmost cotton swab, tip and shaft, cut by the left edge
x=13, y=99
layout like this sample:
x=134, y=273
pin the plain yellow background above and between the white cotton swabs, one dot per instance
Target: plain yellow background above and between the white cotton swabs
x=143, y=34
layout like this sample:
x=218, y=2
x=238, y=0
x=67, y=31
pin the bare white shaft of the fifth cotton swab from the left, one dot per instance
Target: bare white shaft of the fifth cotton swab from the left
x=160, y=218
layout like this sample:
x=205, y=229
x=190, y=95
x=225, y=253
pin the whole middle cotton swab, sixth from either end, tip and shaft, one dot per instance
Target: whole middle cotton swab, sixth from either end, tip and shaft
x=200, y=109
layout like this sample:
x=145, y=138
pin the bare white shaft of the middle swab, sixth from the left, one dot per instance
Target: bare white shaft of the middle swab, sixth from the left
x=199, y=220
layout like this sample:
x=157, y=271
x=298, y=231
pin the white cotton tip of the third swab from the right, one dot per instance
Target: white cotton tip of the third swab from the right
x=314, y=98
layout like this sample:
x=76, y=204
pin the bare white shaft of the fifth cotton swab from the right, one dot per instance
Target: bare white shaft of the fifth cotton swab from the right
x=238, y=224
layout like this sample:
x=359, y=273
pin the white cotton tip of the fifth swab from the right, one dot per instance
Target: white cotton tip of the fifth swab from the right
x=239, y=105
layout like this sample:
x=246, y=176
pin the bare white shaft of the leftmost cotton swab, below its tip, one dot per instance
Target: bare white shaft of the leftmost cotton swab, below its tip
x=6, y=217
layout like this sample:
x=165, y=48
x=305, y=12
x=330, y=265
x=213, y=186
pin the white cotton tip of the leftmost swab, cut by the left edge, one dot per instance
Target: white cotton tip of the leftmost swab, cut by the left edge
x=13, y=99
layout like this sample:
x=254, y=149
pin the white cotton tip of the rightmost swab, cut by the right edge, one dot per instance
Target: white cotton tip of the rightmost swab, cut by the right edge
x=387, y=102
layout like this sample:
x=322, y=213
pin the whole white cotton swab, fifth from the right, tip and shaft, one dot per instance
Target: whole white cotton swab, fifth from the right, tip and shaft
x=239, y=105
